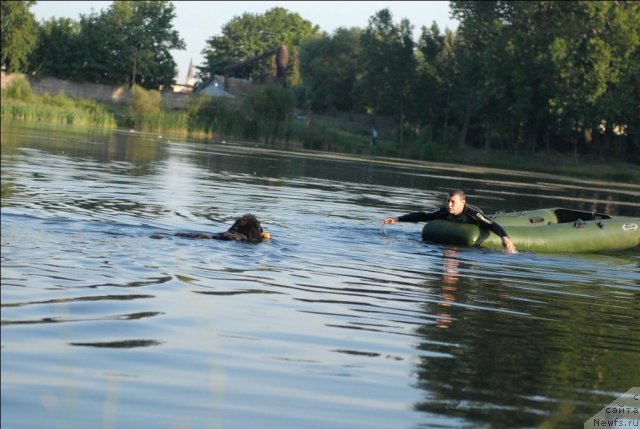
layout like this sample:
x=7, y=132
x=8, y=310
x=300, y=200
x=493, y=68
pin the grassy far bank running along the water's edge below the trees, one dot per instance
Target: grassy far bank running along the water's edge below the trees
x=20, y=103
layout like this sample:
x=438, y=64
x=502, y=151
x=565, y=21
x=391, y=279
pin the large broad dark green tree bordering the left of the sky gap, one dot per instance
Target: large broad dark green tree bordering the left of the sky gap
x=129, y=43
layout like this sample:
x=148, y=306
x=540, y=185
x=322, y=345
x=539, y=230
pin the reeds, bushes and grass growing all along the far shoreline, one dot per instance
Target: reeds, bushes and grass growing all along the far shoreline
x=267, y=116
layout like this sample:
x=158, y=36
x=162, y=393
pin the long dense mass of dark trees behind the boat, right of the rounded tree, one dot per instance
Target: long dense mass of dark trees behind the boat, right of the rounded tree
x=519, y=76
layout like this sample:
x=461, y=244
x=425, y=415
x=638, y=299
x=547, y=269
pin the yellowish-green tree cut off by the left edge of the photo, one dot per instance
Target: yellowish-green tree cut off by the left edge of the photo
x=18, y=34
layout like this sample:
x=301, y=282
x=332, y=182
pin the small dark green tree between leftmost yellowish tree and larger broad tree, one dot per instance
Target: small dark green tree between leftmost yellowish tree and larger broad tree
x=56, y=53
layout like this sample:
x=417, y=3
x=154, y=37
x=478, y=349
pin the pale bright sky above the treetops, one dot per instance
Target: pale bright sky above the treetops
x=197, y=21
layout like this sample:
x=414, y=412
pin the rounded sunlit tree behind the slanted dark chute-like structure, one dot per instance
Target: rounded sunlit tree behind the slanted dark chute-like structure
x=249, y=35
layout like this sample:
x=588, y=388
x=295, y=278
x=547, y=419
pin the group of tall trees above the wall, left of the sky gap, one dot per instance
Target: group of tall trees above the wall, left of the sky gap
x=128, y=43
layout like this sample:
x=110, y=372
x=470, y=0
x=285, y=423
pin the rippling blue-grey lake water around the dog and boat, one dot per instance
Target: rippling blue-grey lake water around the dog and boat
x=334, y=323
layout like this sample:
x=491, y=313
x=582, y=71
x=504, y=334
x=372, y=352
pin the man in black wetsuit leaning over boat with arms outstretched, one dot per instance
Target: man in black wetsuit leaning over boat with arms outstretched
x=459, y=211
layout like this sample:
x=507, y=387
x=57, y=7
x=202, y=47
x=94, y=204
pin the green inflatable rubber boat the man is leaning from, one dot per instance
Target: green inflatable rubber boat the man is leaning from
x=543, y=230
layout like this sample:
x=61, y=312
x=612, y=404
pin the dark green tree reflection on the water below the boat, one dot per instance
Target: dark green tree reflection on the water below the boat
x=517, y=345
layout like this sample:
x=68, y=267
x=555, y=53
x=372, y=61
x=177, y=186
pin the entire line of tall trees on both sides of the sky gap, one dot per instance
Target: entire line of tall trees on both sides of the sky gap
x=518, y=76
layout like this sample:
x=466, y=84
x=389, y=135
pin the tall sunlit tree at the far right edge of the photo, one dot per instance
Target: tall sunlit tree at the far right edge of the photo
x=588, y=63
